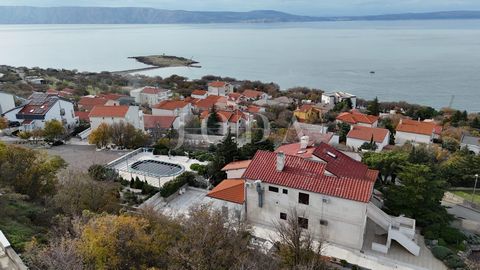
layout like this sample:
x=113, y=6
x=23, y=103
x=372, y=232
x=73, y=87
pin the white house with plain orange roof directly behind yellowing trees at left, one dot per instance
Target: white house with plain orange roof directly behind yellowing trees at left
x=116, y=114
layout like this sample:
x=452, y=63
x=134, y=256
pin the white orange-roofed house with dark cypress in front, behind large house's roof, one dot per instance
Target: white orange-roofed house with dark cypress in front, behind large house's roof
x=359, y=135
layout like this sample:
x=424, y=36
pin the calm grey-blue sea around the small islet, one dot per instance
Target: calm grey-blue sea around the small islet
x=427, y=62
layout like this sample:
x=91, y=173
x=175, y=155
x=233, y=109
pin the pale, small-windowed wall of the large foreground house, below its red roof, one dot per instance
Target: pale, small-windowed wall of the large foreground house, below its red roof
x=346, y=219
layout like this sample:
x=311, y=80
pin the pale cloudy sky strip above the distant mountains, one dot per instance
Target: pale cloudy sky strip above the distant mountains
x=306, y=7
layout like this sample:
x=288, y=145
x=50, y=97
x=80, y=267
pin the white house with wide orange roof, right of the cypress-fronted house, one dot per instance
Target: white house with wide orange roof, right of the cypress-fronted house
x=416, y=132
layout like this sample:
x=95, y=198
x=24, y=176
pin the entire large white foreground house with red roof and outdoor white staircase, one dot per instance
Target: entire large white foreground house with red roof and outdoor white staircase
x=331, y=197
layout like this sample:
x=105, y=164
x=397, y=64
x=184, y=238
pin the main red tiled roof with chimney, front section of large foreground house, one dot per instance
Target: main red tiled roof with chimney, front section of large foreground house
x=304, y=174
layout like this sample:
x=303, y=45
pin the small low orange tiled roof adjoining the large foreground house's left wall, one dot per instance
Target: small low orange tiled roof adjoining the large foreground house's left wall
x=231, y=190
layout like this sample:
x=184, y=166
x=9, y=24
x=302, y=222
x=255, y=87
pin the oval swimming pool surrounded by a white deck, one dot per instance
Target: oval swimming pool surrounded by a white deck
x=157, y=168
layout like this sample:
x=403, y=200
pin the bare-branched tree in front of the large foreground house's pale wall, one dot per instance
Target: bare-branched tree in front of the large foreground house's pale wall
x=297, y=246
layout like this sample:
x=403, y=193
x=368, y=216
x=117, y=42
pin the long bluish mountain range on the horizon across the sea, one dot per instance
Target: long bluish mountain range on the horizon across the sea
x=133, y=15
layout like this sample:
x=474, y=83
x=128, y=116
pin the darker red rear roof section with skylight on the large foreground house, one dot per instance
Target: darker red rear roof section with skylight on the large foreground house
x=339, y=163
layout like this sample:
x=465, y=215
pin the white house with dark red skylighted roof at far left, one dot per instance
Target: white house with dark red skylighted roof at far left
x=40, y=108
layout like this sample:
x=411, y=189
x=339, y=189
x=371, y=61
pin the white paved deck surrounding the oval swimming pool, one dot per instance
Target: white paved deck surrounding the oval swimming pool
x=124, y=167
